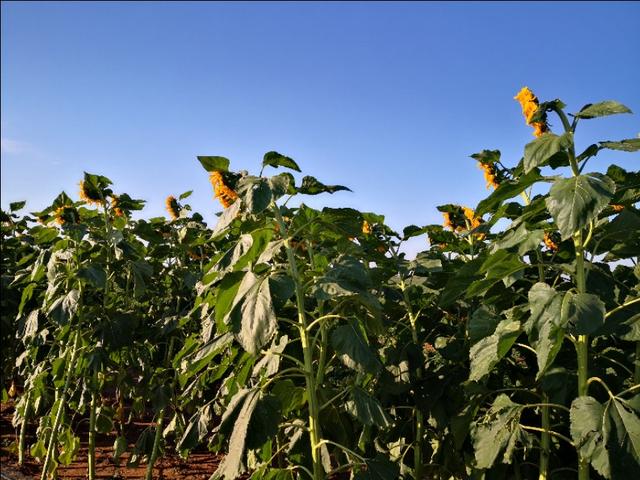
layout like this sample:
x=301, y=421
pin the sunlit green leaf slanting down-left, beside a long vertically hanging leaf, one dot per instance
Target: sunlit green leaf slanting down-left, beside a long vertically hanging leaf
x=486, y=353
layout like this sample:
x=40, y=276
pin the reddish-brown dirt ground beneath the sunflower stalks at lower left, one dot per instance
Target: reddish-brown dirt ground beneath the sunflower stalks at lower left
x=200, y=465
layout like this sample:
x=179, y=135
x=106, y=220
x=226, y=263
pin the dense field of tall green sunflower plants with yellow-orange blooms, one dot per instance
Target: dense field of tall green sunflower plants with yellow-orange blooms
x=298, y=343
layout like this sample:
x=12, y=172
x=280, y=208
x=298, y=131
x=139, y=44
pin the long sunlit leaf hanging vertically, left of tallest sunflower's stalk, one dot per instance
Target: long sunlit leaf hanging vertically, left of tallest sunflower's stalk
x=545, y=327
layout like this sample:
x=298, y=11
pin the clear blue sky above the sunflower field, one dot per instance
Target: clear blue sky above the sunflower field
x=389, y=99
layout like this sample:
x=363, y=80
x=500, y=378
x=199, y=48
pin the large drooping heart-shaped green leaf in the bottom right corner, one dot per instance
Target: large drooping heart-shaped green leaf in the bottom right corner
x=607, y=435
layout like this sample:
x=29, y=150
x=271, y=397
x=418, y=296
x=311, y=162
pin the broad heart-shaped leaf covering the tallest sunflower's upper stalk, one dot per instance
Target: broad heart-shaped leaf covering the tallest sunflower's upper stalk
x=576, y=201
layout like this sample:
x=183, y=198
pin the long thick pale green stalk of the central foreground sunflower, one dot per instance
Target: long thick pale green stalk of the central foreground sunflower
x=305, y=340
